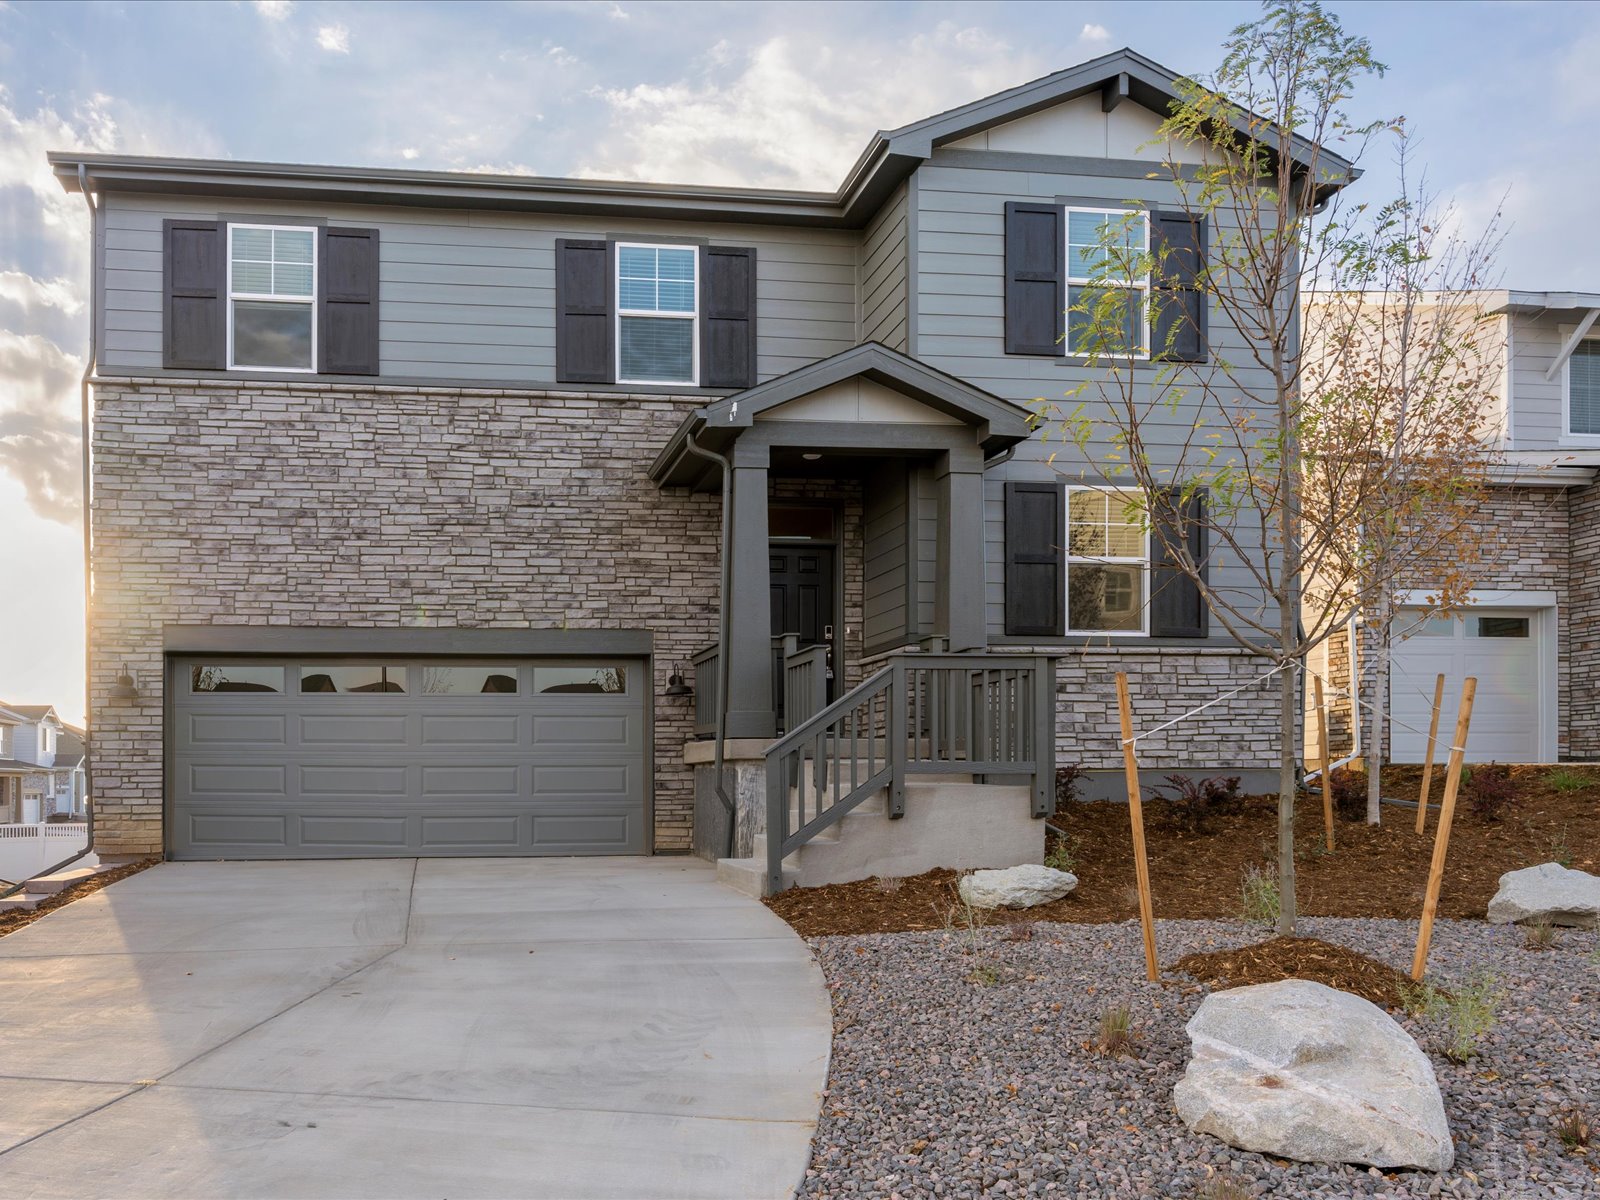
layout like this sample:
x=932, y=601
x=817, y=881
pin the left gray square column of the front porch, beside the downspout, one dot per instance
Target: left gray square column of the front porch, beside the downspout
x=750, y=647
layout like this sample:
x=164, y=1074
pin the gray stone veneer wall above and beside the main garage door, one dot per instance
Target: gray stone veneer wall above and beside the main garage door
x=353, y=505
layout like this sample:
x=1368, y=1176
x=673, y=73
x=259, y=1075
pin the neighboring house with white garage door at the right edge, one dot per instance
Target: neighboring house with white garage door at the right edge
x=1532, y=636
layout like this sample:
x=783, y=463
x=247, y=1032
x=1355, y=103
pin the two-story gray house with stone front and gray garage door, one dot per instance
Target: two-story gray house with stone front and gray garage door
x=407, y=486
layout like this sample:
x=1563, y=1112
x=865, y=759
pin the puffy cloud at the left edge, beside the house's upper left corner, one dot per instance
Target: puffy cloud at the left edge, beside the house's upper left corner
x=39, y=425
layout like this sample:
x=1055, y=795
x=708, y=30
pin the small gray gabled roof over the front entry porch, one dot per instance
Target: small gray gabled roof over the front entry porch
x=996, y=423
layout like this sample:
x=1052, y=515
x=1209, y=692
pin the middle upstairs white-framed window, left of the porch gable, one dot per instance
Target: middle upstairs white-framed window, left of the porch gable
x=657, y=314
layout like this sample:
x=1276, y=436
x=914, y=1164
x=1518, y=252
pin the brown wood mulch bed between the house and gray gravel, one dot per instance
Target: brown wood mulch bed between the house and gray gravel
x=1374, y=873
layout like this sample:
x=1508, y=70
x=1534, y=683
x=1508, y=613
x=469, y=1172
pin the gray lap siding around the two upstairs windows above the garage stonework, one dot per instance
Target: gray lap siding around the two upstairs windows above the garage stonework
x=471, y=295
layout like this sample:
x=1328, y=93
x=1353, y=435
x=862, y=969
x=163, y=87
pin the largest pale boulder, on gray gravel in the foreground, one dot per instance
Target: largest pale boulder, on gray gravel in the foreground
x=1303, y=1071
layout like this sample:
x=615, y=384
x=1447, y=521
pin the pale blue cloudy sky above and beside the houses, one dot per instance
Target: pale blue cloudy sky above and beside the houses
x=761, y=94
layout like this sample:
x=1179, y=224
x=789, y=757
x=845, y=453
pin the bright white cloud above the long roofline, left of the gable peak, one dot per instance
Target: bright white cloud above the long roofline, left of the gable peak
x=798, y=108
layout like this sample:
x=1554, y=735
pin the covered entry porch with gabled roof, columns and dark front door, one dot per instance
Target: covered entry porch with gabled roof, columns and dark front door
x=854, y=527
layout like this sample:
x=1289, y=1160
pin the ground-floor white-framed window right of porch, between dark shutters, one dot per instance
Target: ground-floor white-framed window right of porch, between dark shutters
x=1108, y=562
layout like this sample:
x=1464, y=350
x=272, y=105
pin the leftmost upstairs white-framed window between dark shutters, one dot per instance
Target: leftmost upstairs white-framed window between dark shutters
x=271, y=298
